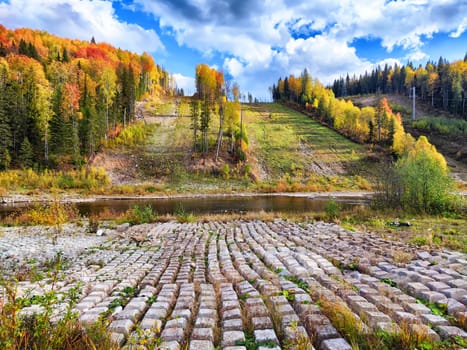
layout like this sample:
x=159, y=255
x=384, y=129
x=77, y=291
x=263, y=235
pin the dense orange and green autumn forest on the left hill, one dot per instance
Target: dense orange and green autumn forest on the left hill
x=60, y=97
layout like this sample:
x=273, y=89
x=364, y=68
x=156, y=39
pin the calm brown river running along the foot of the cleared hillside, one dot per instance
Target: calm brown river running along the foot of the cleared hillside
x=208, y=205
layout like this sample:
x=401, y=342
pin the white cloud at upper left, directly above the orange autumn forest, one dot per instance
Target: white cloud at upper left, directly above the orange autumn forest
x=80, y=19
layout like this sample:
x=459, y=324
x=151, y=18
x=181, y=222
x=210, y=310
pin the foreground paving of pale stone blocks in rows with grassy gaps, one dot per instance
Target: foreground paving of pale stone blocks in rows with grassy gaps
x=202, y=284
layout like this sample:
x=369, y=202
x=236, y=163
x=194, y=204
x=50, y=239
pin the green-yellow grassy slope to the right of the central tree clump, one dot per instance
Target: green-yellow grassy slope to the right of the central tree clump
x=288, y=142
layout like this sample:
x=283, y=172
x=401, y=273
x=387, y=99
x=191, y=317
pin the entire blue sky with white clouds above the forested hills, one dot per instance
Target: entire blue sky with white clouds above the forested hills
x=257, y=41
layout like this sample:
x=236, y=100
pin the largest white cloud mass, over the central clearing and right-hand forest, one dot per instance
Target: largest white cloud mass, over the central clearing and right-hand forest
x=257, y=46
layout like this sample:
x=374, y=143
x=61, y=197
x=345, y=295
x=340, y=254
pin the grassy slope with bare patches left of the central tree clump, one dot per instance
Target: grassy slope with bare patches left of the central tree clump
x=166, y=157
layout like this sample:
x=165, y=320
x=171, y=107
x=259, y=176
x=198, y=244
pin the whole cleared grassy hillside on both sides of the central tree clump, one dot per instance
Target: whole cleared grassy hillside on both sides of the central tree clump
x=286, y=149
